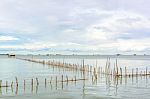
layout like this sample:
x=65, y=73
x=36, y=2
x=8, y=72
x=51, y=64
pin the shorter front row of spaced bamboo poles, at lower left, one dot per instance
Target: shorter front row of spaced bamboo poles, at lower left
x=36, y=82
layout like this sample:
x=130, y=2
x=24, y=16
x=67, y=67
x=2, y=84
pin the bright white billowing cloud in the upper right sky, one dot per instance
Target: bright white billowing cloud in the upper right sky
x=117, y=23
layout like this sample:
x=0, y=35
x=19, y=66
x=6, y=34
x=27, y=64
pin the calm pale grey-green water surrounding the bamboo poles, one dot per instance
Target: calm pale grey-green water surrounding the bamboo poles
x=106, y=87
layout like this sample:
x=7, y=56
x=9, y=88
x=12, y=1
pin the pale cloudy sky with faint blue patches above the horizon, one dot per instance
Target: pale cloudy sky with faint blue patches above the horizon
x=75, y=26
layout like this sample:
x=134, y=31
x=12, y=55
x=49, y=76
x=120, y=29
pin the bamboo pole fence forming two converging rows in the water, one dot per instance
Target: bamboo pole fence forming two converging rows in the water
x=108, y=71
